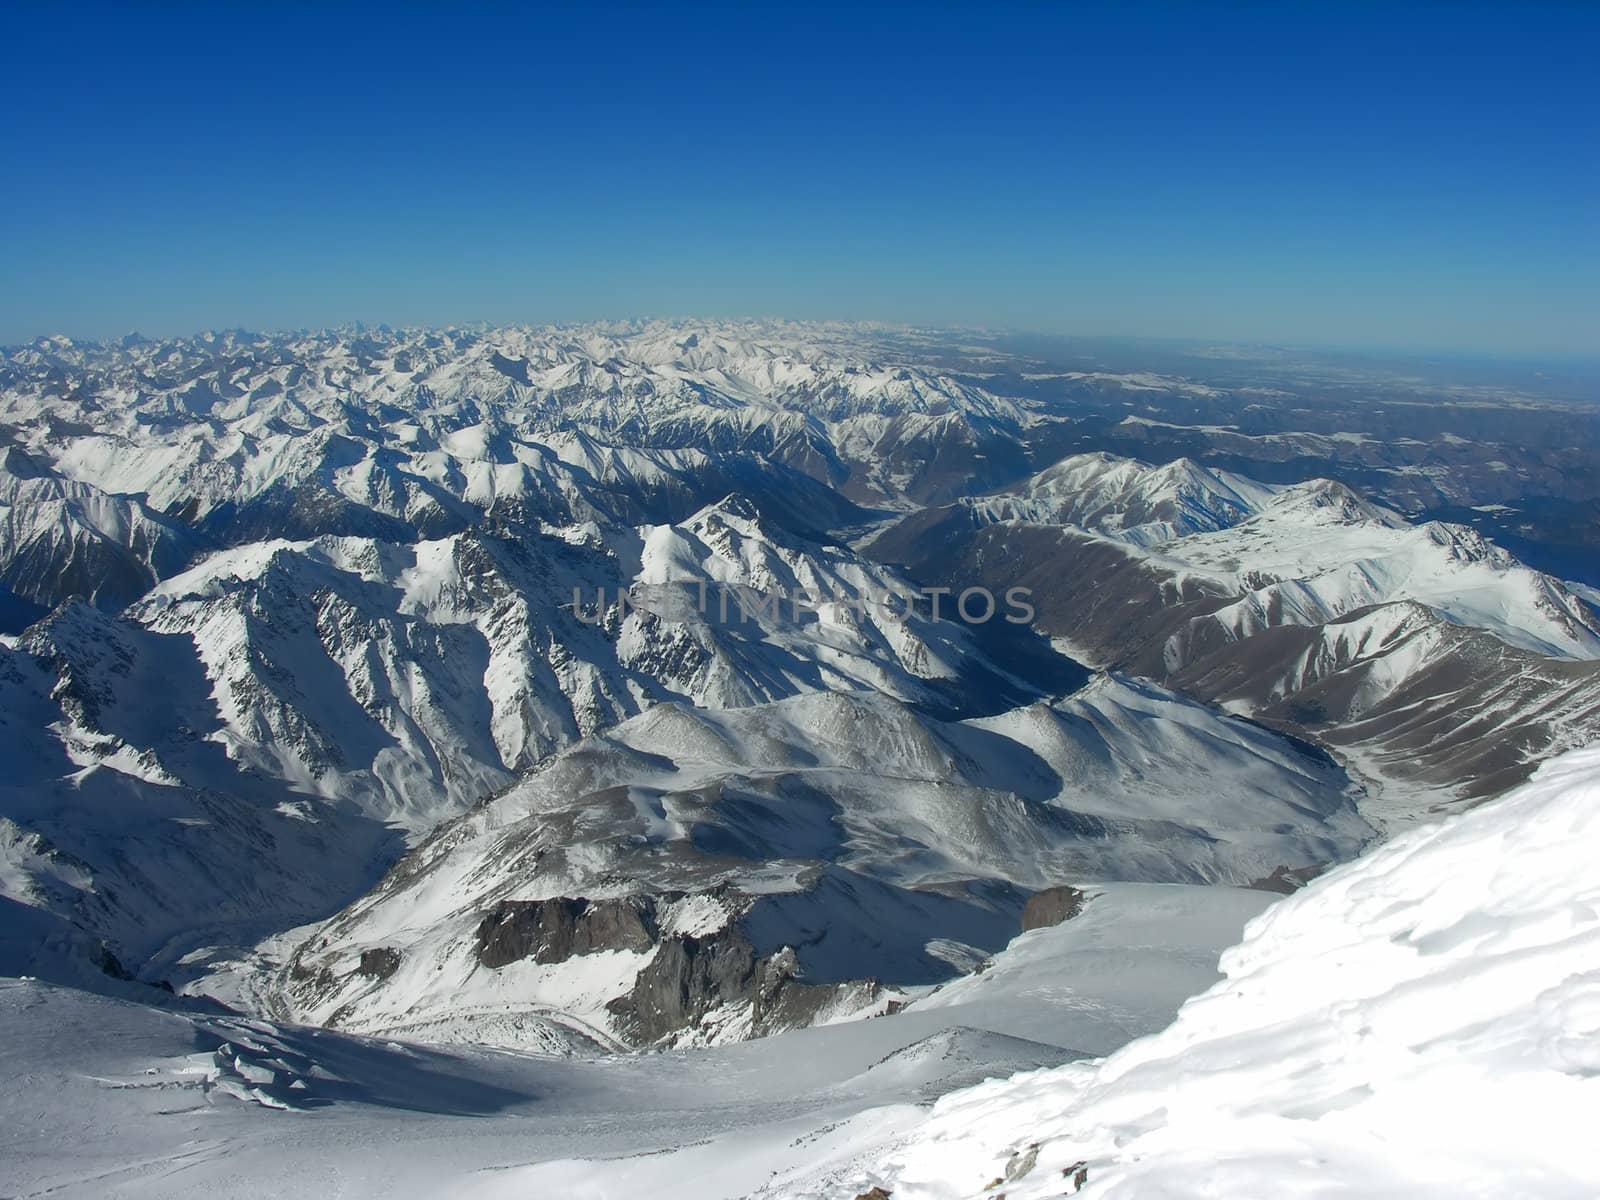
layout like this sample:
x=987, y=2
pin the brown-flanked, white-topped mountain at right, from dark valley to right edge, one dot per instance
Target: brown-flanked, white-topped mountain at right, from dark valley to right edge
x=1426, y=654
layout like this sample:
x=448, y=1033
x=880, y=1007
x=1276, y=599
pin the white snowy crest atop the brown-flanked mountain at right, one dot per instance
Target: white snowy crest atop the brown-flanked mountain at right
x=1298, y=554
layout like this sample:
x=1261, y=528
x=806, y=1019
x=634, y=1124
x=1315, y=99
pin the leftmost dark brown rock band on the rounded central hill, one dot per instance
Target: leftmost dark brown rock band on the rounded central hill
x=556, y=930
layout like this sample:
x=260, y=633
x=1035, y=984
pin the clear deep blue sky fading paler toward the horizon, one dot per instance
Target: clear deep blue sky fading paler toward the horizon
x=1281, y=174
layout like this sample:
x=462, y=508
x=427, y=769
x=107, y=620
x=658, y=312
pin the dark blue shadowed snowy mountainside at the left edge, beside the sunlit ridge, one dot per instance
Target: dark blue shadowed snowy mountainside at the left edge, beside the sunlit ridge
x=127, y=825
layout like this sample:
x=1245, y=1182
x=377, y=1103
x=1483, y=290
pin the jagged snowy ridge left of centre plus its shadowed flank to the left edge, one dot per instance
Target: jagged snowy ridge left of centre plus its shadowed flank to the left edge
x=319, y=698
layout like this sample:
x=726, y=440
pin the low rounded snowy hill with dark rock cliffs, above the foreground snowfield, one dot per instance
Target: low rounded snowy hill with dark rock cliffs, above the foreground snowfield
x=834, y=841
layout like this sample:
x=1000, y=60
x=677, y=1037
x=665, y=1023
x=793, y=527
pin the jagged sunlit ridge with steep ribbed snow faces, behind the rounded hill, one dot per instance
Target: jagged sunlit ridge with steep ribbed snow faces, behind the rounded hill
x=473, y=657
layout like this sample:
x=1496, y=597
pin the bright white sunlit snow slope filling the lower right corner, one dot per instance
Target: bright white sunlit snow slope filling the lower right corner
x=1420, y=1023
